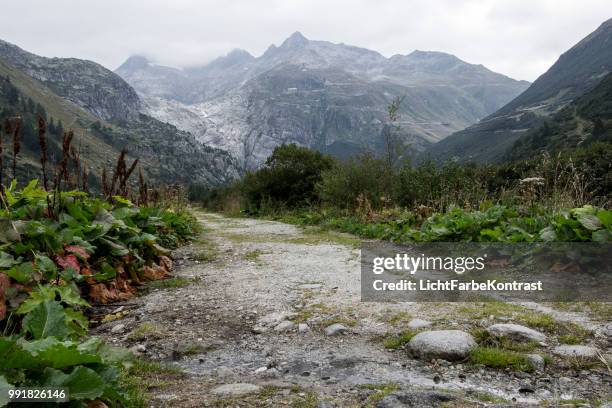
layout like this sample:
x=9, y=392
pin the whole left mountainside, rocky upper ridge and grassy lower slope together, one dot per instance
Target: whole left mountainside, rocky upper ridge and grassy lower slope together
x=167, y=154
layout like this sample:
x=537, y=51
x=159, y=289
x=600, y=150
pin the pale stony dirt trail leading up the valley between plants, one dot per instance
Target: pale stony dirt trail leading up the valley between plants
x=244, y=270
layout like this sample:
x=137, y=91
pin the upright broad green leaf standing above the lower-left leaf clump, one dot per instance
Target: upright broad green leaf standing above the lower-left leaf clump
x=46, y=319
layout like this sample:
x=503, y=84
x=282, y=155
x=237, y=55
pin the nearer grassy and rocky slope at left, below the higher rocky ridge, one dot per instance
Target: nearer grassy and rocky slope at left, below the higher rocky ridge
x=167, y=155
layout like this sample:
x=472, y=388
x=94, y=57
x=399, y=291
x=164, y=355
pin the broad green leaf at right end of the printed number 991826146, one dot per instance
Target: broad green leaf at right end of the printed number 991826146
x=82, y=383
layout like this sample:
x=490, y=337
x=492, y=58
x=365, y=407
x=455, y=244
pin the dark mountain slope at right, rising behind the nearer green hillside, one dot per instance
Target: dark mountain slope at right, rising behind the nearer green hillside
x=578, y=70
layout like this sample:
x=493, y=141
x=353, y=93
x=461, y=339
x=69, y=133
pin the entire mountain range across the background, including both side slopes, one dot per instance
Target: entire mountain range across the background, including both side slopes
x=207, y=124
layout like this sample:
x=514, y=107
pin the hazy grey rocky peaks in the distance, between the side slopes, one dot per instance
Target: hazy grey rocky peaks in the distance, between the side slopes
x=332, y=97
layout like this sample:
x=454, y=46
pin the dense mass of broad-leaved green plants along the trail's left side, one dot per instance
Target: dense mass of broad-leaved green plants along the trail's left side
x=54, y=264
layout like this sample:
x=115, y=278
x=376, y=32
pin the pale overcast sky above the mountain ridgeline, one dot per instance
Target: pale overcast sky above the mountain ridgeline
x=519, y=38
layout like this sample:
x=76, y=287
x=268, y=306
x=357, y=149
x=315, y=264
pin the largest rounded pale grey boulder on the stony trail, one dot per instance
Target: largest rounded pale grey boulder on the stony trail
x=445, y=344
